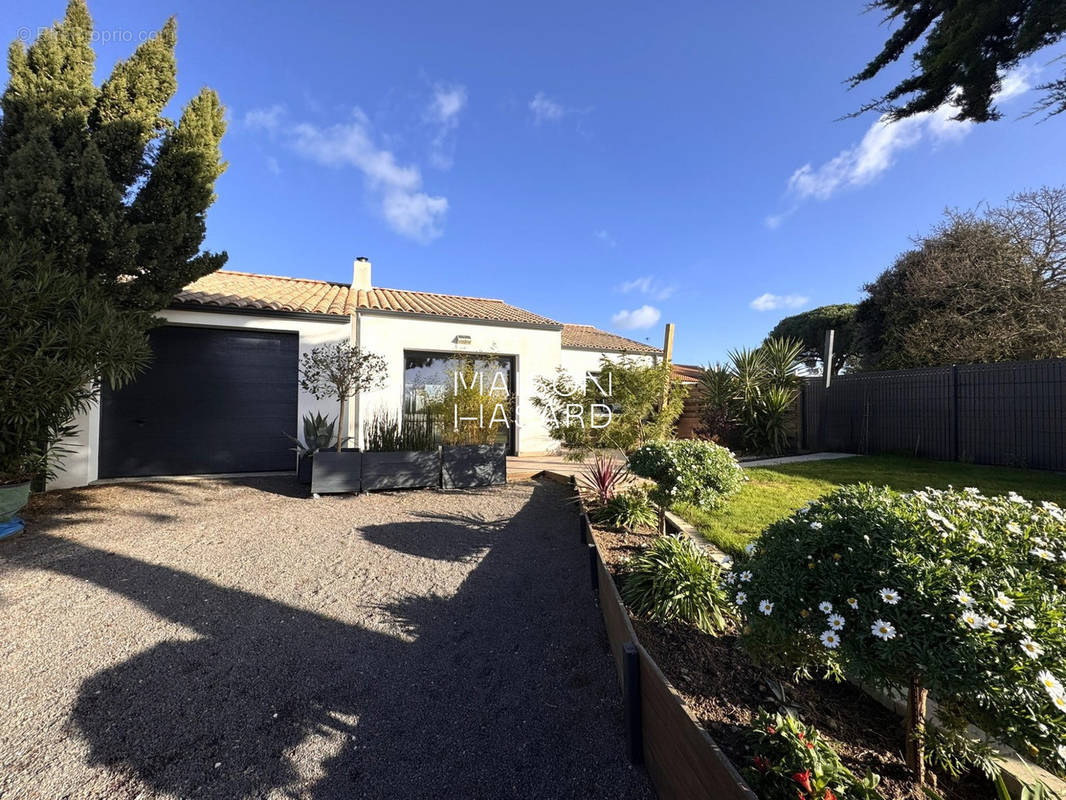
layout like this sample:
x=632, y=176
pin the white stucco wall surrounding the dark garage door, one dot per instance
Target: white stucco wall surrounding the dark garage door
x=82, y=467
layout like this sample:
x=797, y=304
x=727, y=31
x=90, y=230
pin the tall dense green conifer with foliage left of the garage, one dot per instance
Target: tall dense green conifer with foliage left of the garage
x=103, y=207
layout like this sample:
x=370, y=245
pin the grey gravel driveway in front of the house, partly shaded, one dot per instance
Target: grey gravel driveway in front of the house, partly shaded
x=232, y=639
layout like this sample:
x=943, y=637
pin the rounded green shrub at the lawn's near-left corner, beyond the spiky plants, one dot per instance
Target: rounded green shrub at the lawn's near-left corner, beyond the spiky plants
x=689, y=471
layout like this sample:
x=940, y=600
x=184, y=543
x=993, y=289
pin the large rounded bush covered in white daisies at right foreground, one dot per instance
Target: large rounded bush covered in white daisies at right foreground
x=950, y=591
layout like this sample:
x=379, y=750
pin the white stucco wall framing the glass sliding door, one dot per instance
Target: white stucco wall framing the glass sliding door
x=537, y=353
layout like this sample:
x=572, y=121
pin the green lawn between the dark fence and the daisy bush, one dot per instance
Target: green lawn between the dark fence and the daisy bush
x=773, y=493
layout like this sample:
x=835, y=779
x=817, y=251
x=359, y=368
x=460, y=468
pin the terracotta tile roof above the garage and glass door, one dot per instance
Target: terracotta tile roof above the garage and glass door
x=231, y=290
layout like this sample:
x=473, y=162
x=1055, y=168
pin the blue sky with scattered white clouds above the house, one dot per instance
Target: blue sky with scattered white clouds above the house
x=619, y=165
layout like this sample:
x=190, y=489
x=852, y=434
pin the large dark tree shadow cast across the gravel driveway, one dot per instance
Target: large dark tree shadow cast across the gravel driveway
x=507, y=693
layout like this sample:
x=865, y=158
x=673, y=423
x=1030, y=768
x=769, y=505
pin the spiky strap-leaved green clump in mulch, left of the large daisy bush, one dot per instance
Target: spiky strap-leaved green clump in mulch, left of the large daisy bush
x=674, y=581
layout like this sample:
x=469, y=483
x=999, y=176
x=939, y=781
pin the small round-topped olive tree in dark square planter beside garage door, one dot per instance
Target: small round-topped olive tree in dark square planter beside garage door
x=340, y=373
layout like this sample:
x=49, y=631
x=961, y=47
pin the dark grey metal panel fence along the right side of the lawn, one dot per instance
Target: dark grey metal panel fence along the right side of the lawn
x=1011, y=414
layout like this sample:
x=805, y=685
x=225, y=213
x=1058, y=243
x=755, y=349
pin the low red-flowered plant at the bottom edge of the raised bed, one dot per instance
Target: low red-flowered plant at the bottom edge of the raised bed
x=793, y=762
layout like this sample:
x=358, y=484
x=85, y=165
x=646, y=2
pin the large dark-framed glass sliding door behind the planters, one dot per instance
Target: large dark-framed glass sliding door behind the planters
x=430, y=382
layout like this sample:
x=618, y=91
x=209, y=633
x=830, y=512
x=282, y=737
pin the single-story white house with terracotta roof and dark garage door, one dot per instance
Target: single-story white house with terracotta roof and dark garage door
x=223, y=390
